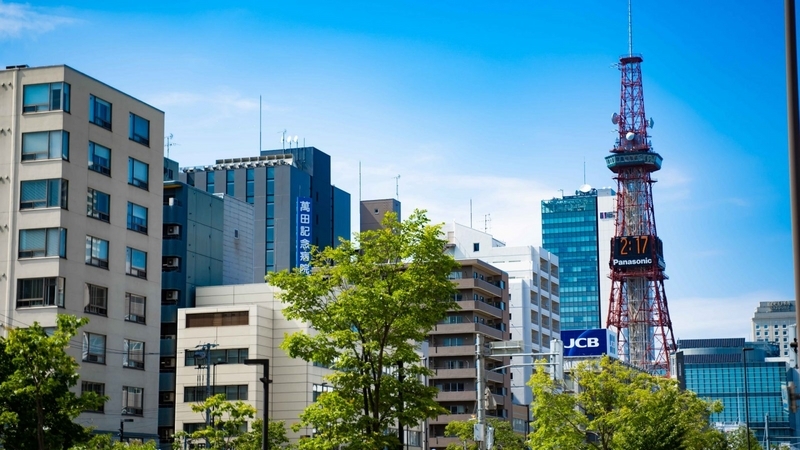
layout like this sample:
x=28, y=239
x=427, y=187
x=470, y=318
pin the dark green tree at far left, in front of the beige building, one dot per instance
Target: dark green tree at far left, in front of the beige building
x=37, y=407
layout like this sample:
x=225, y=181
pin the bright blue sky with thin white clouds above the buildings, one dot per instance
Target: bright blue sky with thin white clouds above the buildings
x=499, y=104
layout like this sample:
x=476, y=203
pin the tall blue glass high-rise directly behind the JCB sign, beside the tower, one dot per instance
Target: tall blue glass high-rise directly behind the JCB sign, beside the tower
x=578, y=229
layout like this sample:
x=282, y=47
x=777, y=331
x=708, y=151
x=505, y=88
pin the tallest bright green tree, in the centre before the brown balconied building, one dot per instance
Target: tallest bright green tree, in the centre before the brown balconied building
x=370, y=303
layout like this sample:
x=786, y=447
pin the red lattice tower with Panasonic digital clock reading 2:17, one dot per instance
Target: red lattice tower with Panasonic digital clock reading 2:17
x=638, y=306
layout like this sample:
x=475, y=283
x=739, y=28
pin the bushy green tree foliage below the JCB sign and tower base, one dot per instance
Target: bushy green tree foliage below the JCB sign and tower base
x=619, y=408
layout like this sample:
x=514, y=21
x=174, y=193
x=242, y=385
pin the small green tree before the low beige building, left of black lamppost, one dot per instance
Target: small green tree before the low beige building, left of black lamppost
x=227, y=423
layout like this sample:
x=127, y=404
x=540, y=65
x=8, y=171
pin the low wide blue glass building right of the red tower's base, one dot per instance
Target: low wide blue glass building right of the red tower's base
x=714, y=368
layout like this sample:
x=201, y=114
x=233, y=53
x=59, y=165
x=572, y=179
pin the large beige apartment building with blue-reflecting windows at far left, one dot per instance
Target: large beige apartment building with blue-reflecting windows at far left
x=80, y=230
